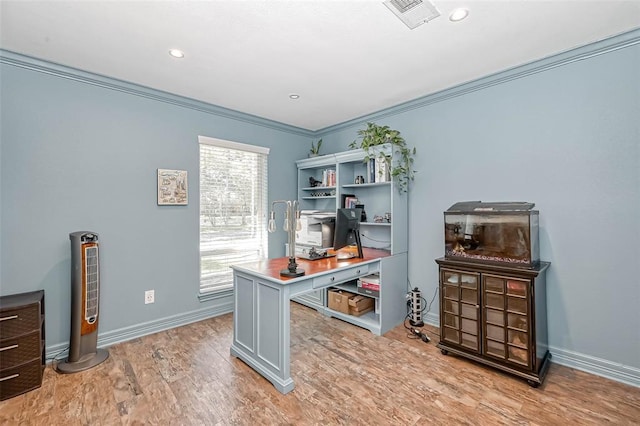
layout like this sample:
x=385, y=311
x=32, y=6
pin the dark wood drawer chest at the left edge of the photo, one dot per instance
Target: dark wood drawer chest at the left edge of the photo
x=22, y=349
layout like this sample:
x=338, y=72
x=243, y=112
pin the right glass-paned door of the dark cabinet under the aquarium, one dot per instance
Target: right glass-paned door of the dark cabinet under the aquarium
x=506, y=320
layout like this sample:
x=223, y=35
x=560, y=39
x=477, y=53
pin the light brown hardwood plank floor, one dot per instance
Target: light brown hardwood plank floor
x=343, y=375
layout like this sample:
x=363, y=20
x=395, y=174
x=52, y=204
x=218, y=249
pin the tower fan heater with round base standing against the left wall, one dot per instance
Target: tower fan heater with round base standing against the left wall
x=85, y=298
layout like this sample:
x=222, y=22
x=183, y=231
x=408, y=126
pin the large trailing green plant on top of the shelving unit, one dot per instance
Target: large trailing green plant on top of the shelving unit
x=401, y=169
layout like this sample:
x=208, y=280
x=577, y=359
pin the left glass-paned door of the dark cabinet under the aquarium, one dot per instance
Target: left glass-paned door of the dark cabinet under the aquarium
x=459, y=308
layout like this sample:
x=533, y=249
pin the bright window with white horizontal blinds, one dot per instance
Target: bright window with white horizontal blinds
x=233, y=210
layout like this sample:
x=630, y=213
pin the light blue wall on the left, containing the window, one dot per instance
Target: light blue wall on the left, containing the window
x=77, y=155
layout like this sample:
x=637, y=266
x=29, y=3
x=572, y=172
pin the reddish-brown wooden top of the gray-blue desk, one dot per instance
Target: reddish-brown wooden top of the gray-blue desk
x=270, y=268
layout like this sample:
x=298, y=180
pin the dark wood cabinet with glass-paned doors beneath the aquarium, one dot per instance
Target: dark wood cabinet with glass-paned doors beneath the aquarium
x=495, y=315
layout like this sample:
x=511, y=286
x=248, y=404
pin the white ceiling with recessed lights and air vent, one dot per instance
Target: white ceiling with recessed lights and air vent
x=345, y=59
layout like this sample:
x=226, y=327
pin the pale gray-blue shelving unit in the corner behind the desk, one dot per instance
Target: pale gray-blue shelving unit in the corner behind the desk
x=378, y=198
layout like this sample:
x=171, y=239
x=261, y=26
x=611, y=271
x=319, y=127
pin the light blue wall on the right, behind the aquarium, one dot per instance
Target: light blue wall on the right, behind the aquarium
x=563, y=133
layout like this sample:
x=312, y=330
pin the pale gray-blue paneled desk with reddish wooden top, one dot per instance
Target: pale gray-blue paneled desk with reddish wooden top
x=261, y=332
